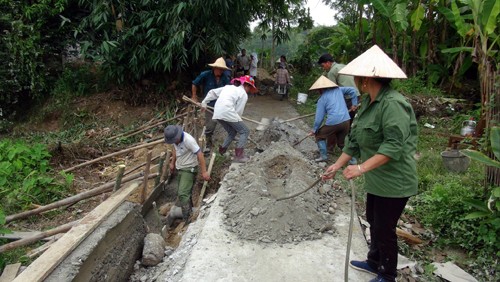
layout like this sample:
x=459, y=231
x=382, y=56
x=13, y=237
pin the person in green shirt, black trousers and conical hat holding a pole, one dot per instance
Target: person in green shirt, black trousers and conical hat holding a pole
x=384, y=137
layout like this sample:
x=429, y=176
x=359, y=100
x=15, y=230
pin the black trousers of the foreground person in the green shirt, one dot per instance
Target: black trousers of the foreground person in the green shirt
x=383, y=214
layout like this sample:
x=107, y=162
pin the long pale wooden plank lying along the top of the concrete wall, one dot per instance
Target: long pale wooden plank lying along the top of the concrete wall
x=50, y=259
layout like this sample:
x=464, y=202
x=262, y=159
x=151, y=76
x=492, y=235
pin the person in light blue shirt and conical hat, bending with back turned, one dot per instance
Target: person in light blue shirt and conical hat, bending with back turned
x=331, y=109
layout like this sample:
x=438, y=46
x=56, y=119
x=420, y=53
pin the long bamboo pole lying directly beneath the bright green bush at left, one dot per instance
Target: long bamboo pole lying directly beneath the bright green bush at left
x=71, y=200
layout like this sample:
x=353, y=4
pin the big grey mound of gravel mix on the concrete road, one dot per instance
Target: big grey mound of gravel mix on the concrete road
x=251, y=210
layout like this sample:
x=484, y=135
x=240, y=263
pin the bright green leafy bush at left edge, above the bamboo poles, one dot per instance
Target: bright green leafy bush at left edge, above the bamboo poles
x=26, y=178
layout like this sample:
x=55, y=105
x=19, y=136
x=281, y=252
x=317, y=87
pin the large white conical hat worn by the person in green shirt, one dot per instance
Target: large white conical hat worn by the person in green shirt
x=373, y=63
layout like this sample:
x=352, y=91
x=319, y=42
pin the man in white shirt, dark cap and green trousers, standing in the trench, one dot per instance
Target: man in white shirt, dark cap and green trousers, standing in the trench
x=186, y=157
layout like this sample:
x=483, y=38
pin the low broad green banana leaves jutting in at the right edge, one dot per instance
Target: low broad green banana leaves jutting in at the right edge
x=492, y=207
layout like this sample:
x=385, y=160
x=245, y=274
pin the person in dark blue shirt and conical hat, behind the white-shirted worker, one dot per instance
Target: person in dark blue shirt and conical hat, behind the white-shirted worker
x=208, y=80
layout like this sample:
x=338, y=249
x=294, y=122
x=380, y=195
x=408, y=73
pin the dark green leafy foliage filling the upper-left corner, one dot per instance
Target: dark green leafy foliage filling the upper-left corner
x=32, y=42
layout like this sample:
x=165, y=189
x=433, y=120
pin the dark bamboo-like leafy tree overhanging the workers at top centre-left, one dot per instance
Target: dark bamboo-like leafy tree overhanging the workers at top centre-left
x=142, y=38
